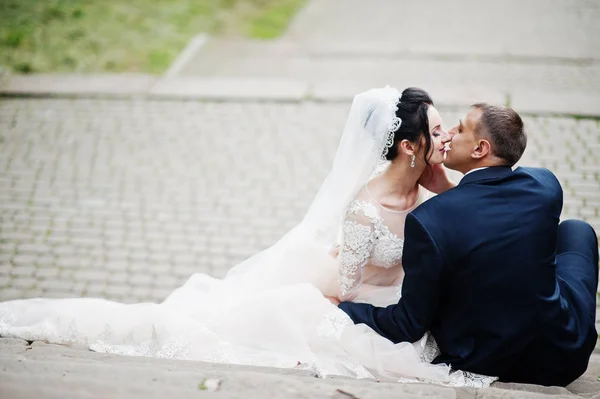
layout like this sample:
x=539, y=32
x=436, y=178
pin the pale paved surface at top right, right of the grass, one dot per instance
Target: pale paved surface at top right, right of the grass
x=566, y=30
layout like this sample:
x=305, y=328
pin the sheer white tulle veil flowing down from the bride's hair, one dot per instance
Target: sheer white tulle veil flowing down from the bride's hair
x=302, y=254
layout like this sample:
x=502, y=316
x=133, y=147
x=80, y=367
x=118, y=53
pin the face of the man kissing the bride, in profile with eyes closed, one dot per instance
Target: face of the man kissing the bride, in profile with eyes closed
x=464, y=141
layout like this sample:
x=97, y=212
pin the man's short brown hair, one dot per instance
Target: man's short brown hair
x=504, y=128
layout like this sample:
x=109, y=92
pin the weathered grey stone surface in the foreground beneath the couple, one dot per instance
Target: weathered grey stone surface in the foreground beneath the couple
x=42, y=370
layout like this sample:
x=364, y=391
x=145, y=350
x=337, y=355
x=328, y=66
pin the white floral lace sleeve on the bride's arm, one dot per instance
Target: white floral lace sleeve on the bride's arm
x=356, y=249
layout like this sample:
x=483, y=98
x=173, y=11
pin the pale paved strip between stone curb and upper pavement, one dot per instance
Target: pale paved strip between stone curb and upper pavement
x=240, y=61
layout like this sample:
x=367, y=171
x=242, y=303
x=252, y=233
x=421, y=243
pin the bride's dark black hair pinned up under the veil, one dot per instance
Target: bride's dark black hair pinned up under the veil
x=412, y=110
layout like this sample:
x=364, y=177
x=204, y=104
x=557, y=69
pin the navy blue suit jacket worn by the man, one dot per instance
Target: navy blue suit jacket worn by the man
x=480, y=265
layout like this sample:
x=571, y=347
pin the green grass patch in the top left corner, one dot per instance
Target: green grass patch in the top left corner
x=125, y=36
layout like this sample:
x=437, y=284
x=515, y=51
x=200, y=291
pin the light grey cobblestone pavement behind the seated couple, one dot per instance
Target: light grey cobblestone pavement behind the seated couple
x=125, y=199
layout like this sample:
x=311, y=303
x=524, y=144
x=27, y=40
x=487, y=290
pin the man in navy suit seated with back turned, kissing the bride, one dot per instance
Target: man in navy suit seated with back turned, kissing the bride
x=504, y=288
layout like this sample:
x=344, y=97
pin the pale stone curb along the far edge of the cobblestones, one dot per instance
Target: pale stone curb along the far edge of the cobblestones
x=278, y=90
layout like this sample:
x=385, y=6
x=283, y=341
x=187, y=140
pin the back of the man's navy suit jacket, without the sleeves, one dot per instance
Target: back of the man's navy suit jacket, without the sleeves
x=497, y=234
